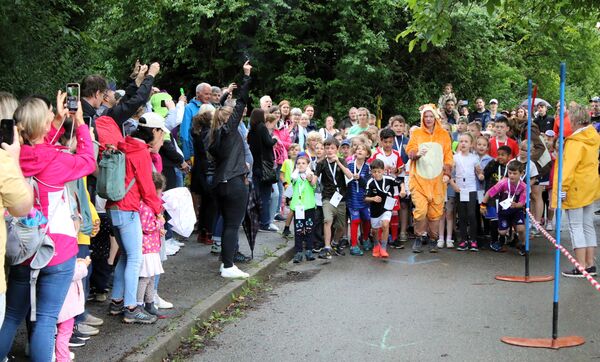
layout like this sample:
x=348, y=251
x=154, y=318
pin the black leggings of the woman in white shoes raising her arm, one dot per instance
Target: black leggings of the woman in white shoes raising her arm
x=232, y=199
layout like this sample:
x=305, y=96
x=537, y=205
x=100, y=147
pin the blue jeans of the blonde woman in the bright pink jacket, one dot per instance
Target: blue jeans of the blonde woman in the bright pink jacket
x=52, y=286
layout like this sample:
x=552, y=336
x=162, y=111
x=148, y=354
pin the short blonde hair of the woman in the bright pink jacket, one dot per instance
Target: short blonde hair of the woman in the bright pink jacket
x=30, y=117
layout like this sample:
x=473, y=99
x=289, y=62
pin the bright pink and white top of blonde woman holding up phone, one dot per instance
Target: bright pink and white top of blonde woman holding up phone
x=53, y=166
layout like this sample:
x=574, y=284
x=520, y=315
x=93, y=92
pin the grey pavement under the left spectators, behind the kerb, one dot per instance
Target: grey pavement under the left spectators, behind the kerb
x=190, y=277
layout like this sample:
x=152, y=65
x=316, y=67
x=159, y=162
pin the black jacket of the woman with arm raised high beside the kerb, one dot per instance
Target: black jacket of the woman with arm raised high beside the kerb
x=227, y=145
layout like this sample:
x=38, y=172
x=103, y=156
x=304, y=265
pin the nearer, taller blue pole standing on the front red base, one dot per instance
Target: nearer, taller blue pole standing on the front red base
x=563, y=76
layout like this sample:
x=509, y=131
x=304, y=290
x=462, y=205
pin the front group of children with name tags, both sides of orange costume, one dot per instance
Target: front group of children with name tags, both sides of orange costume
x=335, y=180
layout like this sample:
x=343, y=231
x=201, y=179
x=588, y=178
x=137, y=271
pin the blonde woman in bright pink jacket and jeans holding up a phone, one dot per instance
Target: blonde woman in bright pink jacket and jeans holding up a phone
x=51, y=167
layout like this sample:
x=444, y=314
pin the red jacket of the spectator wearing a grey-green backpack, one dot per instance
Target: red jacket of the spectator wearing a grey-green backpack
x=138, y=164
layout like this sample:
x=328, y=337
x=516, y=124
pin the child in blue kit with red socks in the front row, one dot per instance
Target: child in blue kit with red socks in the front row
x=358, y=210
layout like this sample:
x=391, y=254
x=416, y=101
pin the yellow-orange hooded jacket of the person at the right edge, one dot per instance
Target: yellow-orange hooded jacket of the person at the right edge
x=581, y=181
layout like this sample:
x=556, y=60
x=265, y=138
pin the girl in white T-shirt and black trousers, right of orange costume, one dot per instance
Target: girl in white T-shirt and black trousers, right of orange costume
x=467, y=172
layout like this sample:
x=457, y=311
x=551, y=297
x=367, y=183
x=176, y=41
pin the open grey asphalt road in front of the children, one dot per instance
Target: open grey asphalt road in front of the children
x=444, y=306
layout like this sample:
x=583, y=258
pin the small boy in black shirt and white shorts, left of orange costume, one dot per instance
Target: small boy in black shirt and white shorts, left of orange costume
x=380, y=195
